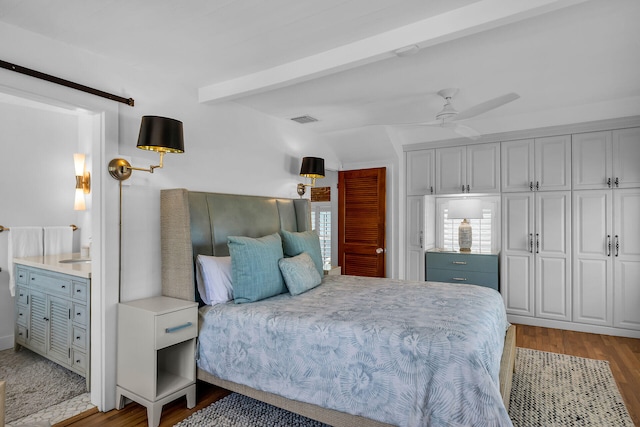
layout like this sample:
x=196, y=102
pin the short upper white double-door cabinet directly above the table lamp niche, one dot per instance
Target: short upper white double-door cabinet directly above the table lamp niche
x=468, y=169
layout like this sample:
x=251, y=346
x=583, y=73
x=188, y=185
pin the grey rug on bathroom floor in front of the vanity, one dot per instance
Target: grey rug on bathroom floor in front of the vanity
x=34, y=383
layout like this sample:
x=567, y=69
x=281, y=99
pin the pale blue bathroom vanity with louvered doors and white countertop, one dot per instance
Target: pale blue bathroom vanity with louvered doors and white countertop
x=53, y=311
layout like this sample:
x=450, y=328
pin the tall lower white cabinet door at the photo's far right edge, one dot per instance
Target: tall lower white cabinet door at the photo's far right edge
x=626, y=212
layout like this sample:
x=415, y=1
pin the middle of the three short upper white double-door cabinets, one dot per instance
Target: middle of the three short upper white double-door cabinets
x=540, y=164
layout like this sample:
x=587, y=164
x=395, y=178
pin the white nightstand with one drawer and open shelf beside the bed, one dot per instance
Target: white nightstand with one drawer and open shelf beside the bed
x=156, y=353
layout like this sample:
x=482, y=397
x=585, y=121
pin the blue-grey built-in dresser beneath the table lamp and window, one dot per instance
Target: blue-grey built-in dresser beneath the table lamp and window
x=455, y=267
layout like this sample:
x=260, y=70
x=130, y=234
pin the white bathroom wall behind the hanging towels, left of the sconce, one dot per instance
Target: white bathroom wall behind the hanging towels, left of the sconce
x=38, y=183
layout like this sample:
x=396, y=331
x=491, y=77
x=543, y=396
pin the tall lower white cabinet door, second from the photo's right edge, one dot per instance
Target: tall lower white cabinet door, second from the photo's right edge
x=592, y=257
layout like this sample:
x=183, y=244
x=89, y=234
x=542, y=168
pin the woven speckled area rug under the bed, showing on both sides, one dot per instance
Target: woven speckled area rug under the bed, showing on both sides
x=549, y=389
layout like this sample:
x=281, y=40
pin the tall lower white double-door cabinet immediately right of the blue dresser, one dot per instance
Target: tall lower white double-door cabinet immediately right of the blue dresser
x=535, y=263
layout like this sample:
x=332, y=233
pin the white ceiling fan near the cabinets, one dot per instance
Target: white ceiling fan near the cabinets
x=449, y=117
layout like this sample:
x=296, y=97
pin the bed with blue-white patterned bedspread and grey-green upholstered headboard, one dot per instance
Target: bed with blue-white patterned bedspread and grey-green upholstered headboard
x=309, y=336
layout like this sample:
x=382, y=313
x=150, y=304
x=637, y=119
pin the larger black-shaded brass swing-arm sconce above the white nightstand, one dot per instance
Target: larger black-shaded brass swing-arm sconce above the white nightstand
x=159, y=134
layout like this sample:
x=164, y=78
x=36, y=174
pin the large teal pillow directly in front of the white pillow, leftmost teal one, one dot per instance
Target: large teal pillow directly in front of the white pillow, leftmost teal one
x=254, y=267
